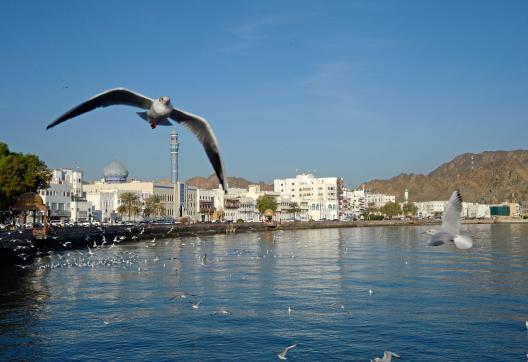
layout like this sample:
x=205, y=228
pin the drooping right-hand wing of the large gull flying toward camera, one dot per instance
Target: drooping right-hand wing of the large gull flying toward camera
x=201, y=129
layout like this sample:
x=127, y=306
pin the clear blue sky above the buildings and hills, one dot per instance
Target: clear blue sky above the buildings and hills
x=358, y=89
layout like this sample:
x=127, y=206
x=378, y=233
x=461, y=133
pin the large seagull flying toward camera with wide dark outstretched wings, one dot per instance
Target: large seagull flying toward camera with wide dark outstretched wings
x=158, y=111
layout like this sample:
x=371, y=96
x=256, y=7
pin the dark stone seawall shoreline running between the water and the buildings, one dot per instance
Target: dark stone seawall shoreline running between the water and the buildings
x=21, y=247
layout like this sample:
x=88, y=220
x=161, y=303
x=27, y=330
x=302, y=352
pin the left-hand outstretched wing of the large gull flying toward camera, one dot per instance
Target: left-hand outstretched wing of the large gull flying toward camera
x=107, y=98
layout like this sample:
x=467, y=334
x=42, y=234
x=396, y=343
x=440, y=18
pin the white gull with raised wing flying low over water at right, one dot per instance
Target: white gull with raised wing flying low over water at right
x=450, y=228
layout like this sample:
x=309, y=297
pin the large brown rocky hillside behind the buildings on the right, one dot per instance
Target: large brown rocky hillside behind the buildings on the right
x=487, y=177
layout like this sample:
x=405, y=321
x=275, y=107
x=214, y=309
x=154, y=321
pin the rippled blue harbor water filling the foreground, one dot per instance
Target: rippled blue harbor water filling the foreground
x=427, y=303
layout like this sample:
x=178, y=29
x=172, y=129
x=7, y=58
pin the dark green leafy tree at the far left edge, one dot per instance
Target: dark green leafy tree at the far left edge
x=20, y=173
